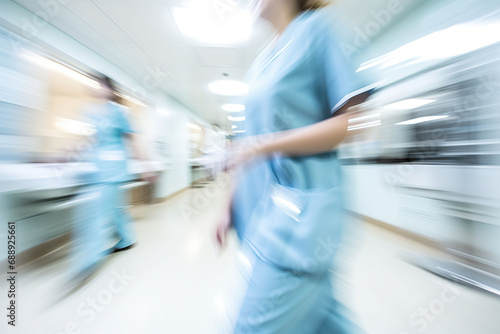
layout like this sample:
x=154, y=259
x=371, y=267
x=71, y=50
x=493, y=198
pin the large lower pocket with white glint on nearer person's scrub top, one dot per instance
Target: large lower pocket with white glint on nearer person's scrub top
x=298, y=229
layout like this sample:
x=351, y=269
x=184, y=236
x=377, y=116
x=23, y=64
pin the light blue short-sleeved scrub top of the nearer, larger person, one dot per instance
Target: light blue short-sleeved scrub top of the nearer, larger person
x=284, y=205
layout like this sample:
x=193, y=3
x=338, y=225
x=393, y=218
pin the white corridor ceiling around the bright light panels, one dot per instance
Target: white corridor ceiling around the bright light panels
x=141, y=37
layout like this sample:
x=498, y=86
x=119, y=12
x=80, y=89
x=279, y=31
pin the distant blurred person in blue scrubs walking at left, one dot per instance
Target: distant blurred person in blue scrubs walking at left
x=103, y=203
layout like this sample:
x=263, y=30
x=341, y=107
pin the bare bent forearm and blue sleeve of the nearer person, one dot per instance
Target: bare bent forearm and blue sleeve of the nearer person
x=344, y=92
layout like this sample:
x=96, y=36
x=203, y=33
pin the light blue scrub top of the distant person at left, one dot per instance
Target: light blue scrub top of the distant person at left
x=109, y=151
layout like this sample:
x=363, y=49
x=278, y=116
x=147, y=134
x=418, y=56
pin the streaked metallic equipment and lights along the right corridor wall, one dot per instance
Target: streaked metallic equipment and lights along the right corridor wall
x=426, y=158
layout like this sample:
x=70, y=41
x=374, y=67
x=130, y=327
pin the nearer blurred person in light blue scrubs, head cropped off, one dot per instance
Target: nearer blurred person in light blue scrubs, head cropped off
x=287, y=202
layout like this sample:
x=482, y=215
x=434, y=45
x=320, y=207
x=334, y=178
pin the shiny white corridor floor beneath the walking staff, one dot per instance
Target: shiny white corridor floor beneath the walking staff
x=177, y=281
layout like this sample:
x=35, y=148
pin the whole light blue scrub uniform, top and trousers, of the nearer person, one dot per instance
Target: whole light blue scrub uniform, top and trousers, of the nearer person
x=288, y=209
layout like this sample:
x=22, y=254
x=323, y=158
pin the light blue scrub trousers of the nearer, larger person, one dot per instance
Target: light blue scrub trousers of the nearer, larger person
x=280, y=301
